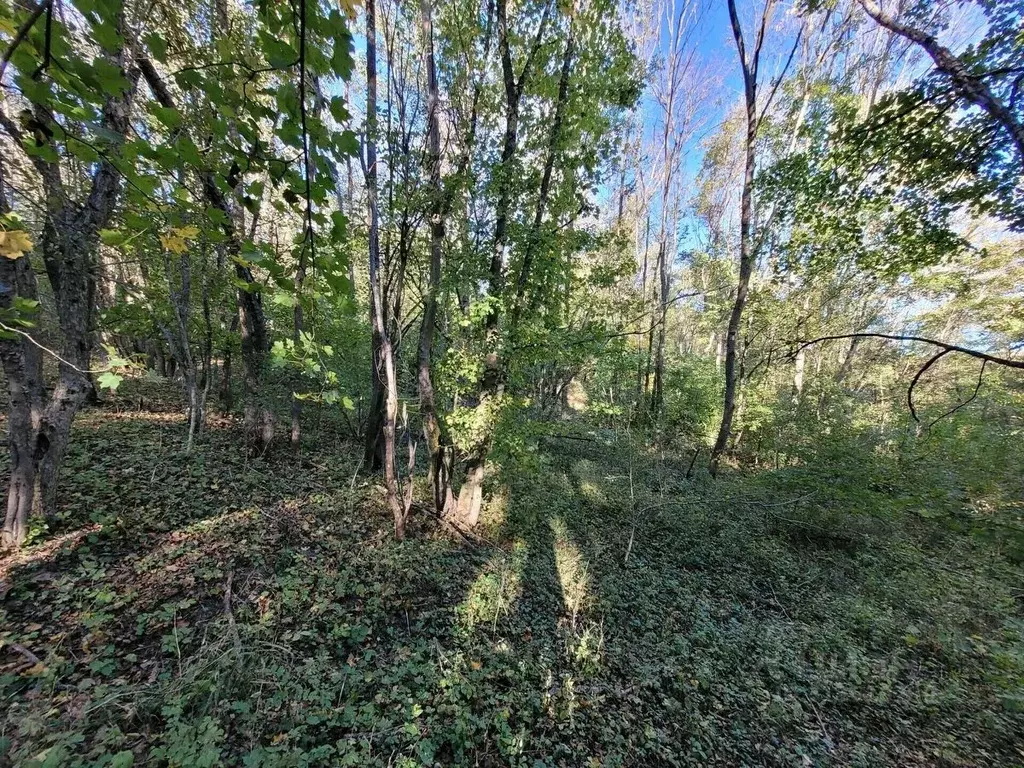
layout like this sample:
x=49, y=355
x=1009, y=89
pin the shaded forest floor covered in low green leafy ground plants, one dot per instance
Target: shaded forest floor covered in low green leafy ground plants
x=205, y=610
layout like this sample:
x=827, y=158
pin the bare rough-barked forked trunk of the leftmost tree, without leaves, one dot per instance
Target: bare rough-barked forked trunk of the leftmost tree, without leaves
x=39, y=426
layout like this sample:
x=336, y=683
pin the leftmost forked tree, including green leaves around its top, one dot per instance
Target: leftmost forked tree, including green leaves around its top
x=40, y=423
